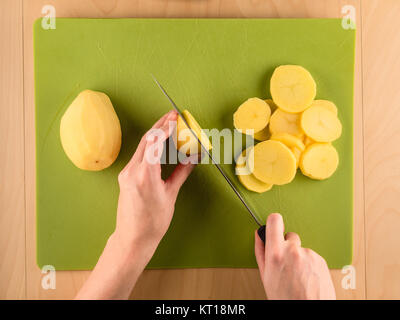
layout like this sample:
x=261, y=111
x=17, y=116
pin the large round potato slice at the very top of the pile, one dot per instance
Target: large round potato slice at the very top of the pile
x=292, y=88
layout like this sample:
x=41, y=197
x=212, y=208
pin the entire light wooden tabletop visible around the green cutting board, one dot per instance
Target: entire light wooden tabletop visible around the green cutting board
x=376, y=144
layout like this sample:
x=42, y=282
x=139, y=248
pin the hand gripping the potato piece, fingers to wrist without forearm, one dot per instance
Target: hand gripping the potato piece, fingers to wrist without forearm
x=146, y=202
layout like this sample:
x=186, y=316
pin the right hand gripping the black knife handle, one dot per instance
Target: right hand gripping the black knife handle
x=289, y=271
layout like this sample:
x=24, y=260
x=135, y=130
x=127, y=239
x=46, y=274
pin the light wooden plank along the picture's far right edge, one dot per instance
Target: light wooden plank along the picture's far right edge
x=381, y=74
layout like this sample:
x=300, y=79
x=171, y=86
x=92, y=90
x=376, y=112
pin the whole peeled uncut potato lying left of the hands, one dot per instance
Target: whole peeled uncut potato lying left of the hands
x=90, y=131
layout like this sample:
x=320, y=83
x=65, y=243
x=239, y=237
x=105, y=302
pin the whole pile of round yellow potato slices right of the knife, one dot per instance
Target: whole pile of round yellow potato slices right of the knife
x=293, y=129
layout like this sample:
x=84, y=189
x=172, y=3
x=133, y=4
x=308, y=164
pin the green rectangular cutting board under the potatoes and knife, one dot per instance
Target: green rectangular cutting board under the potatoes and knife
x=209, y=66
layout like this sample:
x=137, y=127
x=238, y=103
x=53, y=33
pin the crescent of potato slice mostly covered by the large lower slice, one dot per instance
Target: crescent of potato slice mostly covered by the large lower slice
x=245, y=177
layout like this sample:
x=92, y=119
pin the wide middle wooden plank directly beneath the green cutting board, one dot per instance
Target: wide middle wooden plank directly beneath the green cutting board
x=185, y=283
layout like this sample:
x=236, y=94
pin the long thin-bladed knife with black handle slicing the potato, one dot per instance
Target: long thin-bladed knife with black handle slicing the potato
x=261, y=229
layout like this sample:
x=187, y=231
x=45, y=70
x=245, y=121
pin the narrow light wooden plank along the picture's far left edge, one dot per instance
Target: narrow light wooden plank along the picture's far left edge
x=12, y=203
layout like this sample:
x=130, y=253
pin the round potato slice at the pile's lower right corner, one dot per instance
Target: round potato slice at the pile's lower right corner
x=319, y=161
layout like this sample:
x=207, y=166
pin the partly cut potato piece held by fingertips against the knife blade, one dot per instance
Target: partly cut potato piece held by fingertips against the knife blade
x=186, y=142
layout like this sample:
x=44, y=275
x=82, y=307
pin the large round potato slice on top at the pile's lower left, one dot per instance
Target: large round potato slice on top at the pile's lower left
x=272, y=162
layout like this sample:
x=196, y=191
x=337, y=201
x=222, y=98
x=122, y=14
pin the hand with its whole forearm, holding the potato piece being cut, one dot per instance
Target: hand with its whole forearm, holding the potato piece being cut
x=145, y=209
